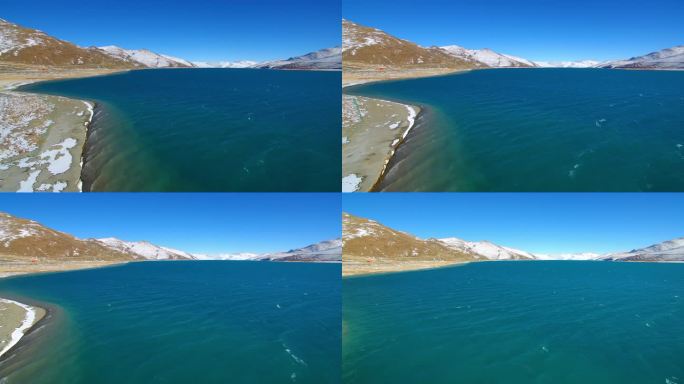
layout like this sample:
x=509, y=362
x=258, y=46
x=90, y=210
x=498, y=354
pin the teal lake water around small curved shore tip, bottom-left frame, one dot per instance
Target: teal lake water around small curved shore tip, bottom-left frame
x=183, y=322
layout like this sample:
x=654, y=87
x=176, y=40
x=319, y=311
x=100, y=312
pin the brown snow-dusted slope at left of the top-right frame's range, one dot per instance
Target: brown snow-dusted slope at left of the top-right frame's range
x=364, y=46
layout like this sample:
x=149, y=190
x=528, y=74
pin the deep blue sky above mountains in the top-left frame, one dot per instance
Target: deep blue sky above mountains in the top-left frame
x=191, y=29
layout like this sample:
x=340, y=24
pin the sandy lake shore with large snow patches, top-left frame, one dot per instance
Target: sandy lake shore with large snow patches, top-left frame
x=42, y=137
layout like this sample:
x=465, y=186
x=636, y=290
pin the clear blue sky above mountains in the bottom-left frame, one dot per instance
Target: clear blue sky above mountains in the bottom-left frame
x=196, y=222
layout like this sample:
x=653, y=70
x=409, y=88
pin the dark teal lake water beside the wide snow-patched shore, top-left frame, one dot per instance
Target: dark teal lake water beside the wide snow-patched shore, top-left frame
x=210, y=130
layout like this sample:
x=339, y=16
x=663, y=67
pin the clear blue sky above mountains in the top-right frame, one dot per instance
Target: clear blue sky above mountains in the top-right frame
x=533, y=29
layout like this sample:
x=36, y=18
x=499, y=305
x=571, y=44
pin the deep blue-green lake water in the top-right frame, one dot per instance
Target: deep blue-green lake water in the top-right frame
x=540, y=130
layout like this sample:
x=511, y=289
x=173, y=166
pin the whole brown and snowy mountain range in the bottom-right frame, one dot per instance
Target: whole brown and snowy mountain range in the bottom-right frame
x=368, y=238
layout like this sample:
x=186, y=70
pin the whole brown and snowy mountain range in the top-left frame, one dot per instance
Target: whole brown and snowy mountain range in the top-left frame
x=22, y=45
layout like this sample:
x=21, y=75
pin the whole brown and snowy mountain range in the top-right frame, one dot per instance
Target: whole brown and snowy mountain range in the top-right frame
x=367, y=46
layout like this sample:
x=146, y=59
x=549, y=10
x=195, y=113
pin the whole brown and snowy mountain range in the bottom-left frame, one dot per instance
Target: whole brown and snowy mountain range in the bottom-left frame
x=25, y=238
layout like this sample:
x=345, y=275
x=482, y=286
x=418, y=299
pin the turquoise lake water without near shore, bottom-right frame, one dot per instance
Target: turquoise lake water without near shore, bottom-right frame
x=517, y=323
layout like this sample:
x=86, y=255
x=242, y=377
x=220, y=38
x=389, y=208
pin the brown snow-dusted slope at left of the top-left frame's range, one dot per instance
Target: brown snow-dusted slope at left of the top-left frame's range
x=30, y=46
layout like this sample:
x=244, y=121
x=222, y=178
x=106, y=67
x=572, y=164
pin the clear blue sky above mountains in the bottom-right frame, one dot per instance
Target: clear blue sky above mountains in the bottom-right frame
x=544, y=222
